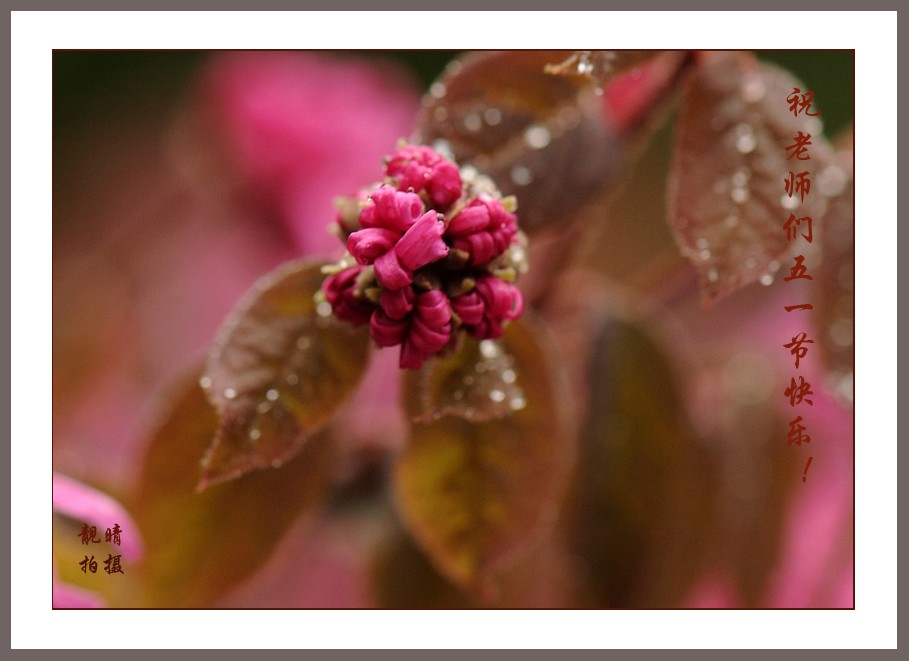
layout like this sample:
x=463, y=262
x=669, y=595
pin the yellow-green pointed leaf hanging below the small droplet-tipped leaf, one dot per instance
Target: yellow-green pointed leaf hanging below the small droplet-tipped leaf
x=474, y=493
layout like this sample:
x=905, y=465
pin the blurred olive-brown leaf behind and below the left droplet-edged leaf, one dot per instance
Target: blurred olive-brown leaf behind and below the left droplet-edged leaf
x=198, y=545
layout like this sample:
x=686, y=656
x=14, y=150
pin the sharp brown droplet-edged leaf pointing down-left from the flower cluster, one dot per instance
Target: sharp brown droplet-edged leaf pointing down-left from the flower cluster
x=278, y=371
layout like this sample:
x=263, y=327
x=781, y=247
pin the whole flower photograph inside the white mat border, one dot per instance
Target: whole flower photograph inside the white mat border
x=432, y=330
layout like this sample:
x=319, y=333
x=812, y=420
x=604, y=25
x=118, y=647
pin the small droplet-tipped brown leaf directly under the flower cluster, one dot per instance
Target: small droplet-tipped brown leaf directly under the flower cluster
x=480, y=381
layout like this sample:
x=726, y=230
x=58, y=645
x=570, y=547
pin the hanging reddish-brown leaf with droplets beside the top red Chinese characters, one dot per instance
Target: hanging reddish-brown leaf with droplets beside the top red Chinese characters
x=726, y=188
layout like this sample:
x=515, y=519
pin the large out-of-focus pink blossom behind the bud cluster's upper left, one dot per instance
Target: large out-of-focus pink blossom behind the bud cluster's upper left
x=300, y=127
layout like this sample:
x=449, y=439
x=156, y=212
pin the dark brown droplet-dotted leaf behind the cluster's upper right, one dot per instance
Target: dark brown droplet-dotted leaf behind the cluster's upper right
x=540, y=137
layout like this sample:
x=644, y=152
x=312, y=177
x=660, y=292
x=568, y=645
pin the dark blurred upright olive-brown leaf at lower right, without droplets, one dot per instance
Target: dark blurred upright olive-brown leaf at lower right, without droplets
x=640, y=509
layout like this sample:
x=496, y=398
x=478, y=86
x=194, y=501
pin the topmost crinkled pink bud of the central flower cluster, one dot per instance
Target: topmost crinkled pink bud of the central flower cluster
x=423, y=169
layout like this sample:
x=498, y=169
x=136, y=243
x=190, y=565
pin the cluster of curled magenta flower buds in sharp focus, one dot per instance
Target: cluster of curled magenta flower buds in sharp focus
x=431, y=251
